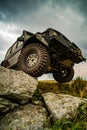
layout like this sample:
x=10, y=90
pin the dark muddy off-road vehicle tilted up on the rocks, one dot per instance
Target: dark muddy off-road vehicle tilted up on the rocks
x=46, y=52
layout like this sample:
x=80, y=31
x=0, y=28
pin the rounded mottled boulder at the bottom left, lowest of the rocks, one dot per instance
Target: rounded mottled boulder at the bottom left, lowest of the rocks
x=27, y=117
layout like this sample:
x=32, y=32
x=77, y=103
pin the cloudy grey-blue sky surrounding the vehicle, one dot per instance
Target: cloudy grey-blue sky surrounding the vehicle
x=67, y=16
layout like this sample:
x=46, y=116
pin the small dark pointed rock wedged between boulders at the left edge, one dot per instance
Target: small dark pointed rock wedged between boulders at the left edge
x=6, y=105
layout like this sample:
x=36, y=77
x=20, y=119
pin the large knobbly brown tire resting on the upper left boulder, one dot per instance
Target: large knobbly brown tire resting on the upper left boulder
x=42, y=63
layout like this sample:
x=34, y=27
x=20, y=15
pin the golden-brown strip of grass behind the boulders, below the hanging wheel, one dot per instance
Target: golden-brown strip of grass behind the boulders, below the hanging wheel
x=78, y=87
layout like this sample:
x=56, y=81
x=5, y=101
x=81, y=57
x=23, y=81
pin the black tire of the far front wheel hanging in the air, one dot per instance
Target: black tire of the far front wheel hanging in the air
x=63, y=79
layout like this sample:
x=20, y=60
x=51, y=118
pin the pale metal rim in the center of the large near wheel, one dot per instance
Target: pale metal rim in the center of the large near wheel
x=32, y=60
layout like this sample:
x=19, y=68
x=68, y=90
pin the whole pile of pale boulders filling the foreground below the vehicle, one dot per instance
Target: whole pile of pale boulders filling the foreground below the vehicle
x=20, y=110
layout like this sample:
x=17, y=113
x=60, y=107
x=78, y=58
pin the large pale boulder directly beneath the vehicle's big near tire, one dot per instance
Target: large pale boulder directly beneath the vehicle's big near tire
x=16, y=85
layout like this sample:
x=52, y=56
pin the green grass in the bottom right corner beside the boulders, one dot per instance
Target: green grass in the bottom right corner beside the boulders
x=79, y=122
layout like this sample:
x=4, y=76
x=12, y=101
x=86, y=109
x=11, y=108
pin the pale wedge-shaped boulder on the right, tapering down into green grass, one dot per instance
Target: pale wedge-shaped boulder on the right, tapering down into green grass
x=61, y=105
